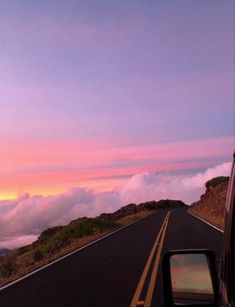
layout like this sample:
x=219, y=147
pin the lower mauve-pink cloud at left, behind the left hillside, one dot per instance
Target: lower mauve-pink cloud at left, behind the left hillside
x=21, y=220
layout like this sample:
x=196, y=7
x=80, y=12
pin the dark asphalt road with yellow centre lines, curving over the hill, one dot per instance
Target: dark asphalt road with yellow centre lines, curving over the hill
x=117, y=271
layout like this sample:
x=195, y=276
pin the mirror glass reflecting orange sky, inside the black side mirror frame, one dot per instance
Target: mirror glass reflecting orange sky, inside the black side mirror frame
x=191, y=279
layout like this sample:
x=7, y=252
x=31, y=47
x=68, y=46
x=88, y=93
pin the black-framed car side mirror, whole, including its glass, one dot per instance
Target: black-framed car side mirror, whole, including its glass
x=190, y=278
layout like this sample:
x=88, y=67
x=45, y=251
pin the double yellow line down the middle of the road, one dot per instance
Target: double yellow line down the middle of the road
x=156, y=250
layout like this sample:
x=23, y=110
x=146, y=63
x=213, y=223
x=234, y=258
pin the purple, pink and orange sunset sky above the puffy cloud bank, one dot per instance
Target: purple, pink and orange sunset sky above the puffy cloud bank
x=93, y=93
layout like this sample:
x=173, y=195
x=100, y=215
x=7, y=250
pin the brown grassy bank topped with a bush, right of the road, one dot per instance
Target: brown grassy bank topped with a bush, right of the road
x=211, y=205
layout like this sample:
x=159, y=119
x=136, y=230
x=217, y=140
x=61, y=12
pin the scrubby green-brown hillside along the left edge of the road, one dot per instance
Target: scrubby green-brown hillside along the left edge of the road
x=60, y=240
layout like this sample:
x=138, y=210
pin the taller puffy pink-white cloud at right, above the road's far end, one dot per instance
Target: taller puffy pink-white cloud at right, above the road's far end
x=155, y=186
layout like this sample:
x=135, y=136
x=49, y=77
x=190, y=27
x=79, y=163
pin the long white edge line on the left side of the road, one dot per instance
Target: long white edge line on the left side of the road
x=69, y=254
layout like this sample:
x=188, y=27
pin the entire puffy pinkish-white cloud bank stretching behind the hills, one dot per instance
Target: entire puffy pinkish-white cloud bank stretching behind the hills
x=21, y=220
